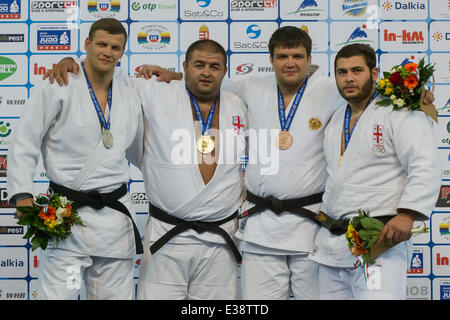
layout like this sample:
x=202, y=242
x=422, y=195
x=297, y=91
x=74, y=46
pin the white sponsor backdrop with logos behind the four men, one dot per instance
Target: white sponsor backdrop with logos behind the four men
x=35, y=34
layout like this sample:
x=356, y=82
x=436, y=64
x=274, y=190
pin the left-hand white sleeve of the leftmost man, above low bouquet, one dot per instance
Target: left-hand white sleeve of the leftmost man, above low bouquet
x=40, y=112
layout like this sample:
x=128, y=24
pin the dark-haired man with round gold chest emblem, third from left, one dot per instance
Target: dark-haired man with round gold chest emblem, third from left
x=276, y=240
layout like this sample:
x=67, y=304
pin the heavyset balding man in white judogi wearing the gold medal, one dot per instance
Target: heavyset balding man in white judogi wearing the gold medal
x=194, y=194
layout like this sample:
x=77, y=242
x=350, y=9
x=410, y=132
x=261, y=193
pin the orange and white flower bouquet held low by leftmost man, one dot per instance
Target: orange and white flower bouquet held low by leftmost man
x=50, y=216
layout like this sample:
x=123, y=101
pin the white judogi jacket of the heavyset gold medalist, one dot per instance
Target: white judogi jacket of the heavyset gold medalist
x=170, y=165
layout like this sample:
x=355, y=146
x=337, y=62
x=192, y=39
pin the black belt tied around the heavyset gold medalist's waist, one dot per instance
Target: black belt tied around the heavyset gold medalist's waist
x=199, y=226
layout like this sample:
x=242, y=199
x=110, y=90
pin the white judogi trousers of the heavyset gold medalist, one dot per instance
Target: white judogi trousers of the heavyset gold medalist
x=198, y=271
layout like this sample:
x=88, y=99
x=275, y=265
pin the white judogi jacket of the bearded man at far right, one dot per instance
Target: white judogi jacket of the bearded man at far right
x=391, y=162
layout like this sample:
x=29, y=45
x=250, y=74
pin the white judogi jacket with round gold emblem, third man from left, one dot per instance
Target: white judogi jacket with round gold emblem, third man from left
x=285, y=174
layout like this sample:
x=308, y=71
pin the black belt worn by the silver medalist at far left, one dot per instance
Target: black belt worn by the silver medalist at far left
x=98, y=201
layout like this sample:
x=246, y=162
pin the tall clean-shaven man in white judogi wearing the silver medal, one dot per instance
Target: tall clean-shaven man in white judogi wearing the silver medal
x=62, y=124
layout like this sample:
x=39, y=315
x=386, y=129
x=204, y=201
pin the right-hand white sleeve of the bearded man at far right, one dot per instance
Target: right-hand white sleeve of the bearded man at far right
x=418, y=154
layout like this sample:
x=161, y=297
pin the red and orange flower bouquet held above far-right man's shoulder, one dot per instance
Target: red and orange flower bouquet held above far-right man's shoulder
x=403, y=87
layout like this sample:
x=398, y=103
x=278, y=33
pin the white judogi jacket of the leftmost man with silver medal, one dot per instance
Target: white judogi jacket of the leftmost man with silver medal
x=62, y=124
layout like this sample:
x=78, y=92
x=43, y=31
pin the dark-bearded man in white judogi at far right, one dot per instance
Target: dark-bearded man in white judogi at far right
x=390, y=166
